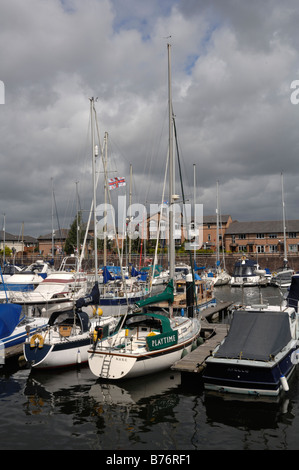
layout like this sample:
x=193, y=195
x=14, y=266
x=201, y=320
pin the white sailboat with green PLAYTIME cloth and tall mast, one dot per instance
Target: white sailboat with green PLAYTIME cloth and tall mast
x=146, y=342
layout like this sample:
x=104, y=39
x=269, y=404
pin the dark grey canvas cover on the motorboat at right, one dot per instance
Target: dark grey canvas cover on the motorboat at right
x=256, y=335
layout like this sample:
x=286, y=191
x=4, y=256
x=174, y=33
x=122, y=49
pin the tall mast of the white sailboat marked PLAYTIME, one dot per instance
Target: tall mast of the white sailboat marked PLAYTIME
x=171, y=173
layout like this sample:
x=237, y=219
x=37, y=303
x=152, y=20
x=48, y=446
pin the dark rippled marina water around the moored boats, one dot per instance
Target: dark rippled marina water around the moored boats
x=74, y=410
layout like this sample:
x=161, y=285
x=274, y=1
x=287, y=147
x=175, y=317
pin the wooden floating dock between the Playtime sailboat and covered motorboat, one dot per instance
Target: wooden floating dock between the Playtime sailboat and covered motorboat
x=213, y=333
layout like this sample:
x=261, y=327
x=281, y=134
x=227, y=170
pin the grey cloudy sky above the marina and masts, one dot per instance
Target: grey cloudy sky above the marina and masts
x=233, y=63
